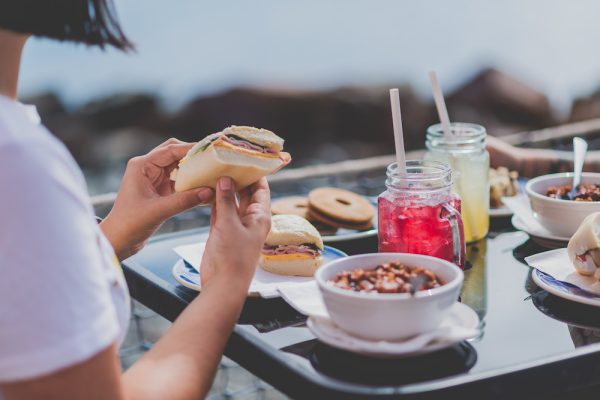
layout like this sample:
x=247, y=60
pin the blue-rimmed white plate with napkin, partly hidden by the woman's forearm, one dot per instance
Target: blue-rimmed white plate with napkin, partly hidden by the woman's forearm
x=187, y=276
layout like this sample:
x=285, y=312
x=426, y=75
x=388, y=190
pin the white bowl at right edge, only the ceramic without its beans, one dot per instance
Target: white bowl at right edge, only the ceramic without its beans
x=560, y=217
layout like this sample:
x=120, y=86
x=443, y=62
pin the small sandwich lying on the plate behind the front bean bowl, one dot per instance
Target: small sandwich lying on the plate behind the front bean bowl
x=293, y=247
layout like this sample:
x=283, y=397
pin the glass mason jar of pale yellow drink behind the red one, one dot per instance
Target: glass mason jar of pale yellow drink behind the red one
x=464, y=150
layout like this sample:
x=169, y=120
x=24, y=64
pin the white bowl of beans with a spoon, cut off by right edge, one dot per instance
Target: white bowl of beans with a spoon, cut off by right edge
x=555, y=209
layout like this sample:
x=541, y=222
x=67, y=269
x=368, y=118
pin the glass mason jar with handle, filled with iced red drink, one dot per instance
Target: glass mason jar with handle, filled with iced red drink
x=418, y=213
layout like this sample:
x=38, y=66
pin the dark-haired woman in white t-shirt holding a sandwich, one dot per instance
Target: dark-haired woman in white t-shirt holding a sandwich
x=63, y=300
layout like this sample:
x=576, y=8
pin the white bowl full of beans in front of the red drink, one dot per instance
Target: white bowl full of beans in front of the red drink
x=388, y=296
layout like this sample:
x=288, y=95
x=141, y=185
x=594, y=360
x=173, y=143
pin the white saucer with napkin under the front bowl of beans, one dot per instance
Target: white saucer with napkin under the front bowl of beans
x=325, y=330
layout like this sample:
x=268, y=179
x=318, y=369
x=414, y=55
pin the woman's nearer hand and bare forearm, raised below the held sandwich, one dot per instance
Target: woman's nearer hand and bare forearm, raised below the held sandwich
x=190, y=351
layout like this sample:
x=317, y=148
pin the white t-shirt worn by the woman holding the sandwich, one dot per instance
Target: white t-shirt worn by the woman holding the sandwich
x=63, y=297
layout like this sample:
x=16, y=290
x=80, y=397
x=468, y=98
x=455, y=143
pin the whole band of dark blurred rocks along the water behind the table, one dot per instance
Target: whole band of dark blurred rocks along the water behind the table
x=318, y=126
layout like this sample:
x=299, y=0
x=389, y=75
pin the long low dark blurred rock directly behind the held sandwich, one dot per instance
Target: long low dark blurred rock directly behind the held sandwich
x=308, y=120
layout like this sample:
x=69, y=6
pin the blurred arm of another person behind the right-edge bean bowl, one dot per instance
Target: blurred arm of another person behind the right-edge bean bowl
x=534, y=162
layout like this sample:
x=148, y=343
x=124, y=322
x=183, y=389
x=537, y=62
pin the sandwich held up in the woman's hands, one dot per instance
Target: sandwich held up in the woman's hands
x=243, y=153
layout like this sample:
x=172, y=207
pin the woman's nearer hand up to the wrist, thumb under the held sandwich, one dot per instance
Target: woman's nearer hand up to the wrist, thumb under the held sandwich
x=237, y=234
